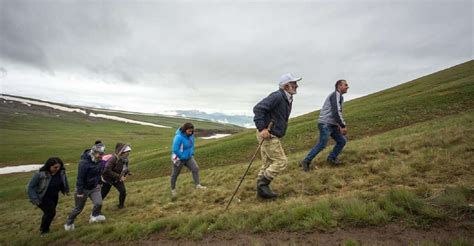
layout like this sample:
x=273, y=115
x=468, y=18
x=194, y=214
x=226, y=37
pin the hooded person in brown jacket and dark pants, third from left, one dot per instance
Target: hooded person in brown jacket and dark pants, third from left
x=116, y=171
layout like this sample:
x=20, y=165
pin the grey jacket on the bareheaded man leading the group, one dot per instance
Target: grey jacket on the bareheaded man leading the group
x=331, y=112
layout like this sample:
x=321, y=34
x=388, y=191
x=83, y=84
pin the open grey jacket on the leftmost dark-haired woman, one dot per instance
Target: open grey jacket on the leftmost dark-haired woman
x=39, y=183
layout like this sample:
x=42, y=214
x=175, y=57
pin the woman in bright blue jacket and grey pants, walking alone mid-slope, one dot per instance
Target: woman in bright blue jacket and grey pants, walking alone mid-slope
x=183, y=155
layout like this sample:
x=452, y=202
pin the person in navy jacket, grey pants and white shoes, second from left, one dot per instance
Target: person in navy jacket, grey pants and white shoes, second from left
x=87, y=185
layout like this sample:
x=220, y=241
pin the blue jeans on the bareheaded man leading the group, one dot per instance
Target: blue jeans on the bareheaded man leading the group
x=326, y=130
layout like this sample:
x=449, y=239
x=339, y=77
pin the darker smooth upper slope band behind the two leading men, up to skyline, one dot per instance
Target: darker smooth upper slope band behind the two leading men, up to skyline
x=434, y=96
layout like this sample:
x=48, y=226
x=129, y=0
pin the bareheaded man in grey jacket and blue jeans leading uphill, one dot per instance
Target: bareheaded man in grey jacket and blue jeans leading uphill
x=330, y=123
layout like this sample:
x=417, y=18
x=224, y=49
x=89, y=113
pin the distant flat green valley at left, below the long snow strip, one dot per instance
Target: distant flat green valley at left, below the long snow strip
x=31, y=134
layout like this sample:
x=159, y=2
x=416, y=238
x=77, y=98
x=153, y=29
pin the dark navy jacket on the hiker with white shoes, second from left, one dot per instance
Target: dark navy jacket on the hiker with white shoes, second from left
x=88, y=174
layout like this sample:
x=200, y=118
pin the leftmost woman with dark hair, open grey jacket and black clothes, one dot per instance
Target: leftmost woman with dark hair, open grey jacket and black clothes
x=44, y=187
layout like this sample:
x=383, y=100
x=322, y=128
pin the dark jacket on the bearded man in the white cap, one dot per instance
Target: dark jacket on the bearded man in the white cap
x=276, y=107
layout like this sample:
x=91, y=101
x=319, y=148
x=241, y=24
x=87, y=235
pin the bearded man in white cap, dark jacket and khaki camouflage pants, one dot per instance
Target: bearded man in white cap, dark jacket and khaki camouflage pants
x=275, y=108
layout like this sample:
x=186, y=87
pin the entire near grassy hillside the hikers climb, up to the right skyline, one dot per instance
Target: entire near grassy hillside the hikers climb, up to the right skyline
x=408, y=161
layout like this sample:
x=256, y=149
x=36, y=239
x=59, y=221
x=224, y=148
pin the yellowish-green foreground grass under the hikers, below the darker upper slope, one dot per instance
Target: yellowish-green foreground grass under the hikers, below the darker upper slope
x=375, y=191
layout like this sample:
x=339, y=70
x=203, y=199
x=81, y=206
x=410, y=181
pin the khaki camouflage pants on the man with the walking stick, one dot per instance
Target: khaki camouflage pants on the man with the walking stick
x=274, y=160
